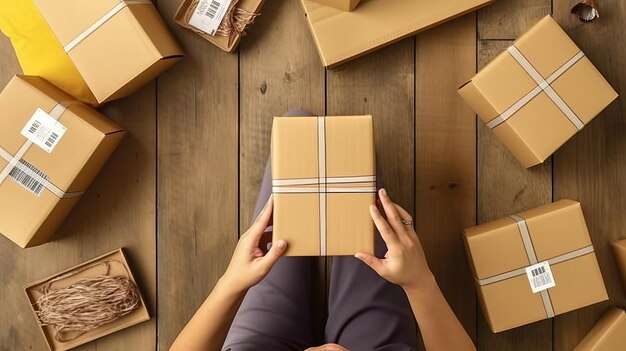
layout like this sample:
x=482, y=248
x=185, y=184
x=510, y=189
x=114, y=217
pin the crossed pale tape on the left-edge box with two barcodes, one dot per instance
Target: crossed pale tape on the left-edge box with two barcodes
x=14, y=160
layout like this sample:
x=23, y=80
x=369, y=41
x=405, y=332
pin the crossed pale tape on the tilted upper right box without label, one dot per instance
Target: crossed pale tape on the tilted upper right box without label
x=542, y=85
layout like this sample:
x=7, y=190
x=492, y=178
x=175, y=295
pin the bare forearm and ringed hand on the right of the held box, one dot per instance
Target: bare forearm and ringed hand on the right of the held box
x=405, y=264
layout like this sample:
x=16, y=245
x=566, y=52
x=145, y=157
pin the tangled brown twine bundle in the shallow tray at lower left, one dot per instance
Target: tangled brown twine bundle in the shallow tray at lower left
x=87, y=303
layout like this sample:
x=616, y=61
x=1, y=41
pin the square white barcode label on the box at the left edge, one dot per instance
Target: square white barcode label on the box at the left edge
x=43, y=130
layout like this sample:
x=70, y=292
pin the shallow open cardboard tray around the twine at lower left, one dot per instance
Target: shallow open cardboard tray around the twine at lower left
x=113, y=264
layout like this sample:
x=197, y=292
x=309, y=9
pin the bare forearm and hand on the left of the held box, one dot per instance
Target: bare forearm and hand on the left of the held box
x=208, y=328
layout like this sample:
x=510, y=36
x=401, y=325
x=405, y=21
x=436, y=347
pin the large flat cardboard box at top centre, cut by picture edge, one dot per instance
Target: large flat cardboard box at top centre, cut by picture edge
x=342, y=36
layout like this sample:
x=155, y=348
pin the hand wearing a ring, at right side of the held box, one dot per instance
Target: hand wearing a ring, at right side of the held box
x=404, y=263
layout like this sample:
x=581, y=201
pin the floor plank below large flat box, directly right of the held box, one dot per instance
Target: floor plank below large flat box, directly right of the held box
x=382, y=84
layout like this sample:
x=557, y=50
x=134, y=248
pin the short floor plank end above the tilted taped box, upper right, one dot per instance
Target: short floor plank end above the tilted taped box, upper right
x=507, y=19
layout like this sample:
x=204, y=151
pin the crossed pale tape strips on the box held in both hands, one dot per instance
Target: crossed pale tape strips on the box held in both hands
x=319, y=185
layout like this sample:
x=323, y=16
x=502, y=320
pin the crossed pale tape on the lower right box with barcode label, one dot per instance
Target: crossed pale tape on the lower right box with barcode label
x=532, y=259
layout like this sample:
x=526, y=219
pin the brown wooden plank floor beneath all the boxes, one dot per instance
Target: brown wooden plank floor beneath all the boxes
x=183, y=183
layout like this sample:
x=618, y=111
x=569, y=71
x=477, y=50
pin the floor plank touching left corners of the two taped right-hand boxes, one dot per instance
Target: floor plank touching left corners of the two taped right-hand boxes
x=445, y=156
